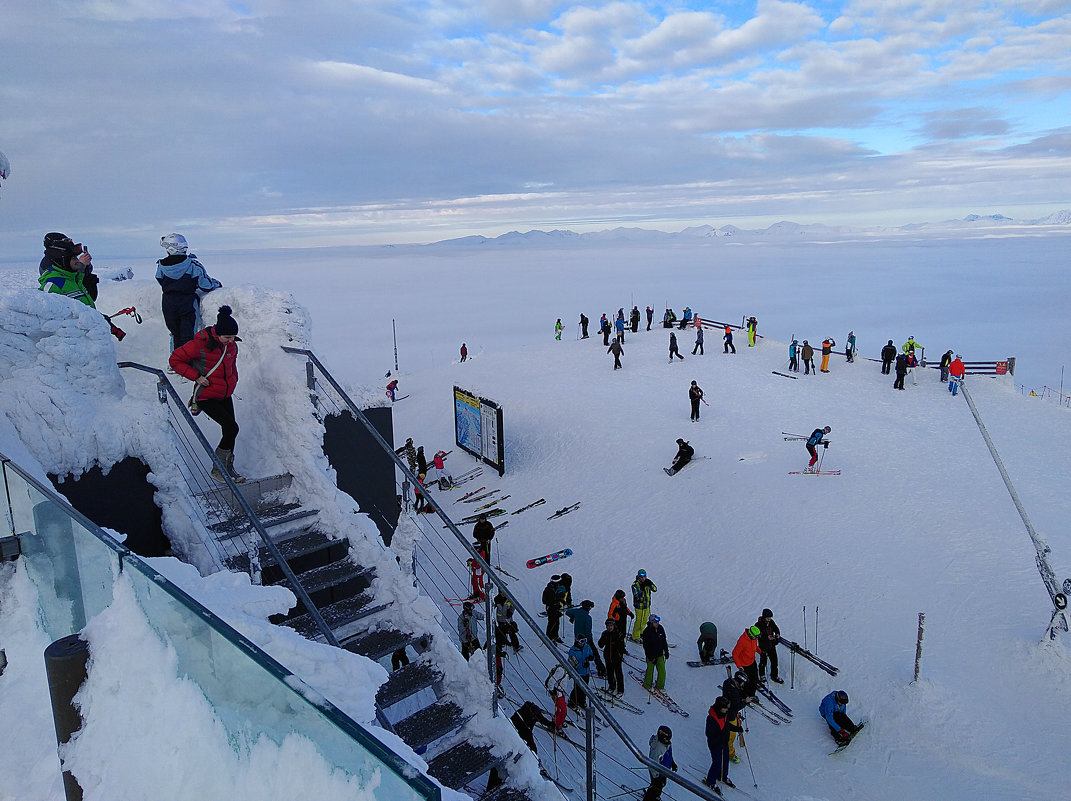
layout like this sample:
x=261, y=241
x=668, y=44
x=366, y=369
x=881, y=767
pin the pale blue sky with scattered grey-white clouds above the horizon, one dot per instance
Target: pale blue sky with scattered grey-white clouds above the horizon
x=327, y=123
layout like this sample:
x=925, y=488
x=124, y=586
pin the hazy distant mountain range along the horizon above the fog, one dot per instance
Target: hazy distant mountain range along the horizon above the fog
x=782, y=230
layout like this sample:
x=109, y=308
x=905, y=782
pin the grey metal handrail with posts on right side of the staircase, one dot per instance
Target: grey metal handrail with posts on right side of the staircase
x=593, y=699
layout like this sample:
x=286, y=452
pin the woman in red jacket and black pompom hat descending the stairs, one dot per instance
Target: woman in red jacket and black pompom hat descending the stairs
x=210, y=360
